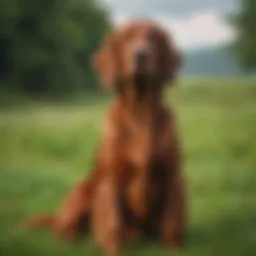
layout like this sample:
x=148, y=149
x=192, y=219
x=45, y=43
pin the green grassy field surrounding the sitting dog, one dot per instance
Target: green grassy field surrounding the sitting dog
x=44, y=150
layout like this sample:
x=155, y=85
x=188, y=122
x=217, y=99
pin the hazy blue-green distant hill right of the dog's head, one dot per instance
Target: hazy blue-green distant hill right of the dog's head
x=214, y=61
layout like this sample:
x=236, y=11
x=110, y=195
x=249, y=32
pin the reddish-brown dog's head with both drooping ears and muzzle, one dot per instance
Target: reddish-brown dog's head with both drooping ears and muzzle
x=140, y=49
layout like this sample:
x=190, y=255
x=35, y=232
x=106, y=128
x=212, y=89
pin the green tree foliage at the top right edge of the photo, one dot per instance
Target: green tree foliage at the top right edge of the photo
x=246, y=42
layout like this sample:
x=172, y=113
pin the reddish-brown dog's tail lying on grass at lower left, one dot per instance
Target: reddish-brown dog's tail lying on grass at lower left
x=39, y=222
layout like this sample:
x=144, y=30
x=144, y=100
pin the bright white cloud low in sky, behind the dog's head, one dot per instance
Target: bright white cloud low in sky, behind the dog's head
x=201, y=29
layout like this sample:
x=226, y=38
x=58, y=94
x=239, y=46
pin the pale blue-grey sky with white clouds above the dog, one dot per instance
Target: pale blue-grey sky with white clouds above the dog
x=193, y=23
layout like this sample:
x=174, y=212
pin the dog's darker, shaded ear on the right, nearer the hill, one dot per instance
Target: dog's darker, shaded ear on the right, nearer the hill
x=170, y=59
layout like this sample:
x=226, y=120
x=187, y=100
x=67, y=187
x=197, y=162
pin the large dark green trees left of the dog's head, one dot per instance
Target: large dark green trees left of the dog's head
x=46, y=44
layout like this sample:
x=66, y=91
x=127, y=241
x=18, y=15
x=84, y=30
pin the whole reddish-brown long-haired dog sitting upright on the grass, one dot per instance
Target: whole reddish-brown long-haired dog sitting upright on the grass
x=137, y=187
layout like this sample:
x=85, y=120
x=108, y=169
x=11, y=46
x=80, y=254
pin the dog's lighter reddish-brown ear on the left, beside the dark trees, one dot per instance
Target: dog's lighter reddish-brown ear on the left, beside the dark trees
x=105, y=63
